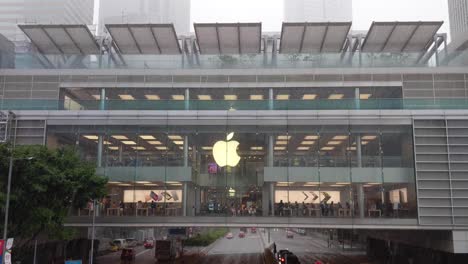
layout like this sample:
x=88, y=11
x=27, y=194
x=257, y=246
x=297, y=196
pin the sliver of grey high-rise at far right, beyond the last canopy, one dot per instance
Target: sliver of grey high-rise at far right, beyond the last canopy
x=458, y=14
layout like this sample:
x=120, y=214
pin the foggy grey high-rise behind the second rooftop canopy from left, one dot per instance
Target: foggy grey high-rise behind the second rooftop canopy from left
x=146, y=11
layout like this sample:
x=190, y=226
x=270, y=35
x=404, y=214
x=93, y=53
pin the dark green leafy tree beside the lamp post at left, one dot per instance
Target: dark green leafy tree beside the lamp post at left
x=44, y=189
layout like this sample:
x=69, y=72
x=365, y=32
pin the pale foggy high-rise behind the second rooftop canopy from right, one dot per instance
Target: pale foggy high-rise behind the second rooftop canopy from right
x=318, y=10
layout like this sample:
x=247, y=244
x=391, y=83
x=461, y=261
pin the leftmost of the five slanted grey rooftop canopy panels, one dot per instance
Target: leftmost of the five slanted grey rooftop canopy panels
x=61, y=39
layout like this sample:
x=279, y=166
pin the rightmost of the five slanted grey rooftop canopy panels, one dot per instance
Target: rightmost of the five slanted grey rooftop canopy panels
x=400, y=36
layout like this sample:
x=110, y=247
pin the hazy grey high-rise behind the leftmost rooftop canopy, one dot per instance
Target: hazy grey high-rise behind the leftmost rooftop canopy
x=15, y=12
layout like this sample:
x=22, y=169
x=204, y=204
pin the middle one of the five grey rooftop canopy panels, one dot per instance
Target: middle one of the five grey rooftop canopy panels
x=228, y=38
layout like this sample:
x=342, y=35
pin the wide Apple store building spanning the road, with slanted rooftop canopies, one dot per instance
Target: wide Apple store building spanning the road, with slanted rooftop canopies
x=309, y=128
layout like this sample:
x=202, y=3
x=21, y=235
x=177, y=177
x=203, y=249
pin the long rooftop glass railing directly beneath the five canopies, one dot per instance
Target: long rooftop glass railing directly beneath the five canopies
x=235, y=61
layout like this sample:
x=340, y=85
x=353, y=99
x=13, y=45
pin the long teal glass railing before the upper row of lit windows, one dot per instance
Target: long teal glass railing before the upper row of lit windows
x=198, y=105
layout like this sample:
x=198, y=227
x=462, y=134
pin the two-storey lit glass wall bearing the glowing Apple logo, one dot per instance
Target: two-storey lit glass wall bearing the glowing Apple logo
x=235, y=170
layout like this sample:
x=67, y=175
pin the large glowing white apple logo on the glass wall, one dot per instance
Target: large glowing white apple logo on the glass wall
x=225, y=152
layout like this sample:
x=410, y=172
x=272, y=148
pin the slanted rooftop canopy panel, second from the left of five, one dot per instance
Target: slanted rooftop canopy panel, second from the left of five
x=145, y=38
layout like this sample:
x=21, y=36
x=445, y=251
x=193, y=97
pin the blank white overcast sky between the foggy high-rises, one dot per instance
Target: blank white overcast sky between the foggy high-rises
x=270, y=12
